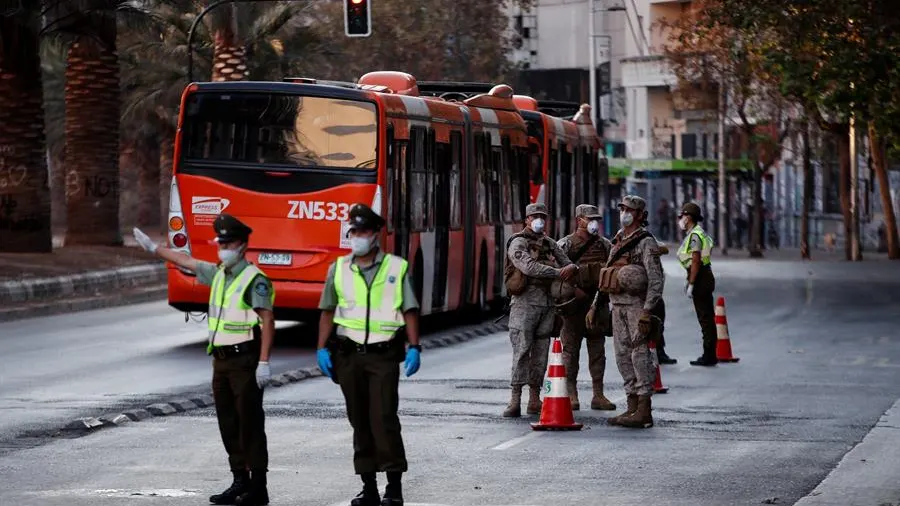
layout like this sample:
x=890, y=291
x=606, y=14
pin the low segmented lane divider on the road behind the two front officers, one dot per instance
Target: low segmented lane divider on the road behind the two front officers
x=87, y=425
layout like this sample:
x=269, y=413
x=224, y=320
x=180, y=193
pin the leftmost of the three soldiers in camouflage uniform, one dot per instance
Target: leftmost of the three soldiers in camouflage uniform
x=533, y=263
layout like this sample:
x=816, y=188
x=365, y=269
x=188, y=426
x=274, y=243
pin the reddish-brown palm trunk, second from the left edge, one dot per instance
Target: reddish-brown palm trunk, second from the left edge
x=92, y=140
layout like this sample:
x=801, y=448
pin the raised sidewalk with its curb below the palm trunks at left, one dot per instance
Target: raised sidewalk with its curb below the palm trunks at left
x=74, y=278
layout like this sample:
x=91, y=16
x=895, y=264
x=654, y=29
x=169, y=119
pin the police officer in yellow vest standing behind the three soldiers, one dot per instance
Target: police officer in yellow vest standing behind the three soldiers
x=694, y=255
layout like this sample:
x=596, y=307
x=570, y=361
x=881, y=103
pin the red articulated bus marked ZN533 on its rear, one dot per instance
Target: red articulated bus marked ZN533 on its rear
x=290, y=158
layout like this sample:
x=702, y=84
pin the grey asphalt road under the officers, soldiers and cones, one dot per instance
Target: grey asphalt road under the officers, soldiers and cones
x=820, y=363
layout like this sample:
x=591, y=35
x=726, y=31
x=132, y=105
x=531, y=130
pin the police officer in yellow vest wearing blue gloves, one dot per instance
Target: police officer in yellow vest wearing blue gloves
x=367, y=299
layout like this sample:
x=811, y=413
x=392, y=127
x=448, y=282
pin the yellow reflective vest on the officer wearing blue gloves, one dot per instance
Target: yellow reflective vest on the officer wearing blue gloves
x=369, y=314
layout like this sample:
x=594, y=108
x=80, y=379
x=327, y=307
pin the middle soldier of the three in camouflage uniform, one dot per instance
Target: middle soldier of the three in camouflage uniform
x=589, y=250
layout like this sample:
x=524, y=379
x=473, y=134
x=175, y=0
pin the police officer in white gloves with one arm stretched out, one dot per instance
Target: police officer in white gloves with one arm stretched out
x=241, y=330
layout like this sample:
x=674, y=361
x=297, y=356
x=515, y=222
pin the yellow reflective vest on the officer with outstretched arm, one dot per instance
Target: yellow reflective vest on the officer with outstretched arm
x=231, y=320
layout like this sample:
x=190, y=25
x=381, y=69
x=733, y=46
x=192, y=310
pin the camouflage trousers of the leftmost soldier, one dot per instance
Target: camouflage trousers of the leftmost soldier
x=529, y=331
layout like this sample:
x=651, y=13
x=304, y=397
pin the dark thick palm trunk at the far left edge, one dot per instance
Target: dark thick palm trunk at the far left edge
x=24, y=182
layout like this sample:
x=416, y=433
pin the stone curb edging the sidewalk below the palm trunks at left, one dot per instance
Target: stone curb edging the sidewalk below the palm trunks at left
x=84, y=284
